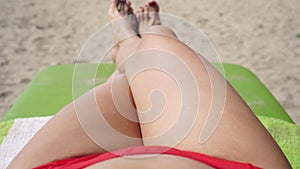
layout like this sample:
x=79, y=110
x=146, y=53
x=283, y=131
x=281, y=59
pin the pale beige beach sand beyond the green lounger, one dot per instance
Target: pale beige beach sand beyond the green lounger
x=262, y=35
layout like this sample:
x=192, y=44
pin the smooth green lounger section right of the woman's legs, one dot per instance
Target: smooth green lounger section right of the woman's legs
x=254, y=92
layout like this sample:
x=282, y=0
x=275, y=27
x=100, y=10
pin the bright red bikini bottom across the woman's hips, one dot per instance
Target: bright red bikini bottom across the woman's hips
x=85, y=161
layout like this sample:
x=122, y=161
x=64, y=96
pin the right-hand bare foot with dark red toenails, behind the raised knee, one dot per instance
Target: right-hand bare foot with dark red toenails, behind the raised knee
x=147, y=16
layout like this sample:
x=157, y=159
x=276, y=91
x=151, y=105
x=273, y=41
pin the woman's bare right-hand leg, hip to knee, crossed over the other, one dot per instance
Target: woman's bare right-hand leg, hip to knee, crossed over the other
x=238, y=136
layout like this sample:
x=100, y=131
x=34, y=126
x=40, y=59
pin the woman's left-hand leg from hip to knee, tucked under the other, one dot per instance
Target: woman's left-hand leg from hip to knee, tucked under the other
x=66, y=134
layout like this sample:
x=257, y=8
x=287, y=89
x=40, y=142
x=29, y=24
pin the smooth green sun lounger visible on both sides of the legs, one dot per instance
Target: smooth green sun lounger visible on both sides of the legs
x=51, y=90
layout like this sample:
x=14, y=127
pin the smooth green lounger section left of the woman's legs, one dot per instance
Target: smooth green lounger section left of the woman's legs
x=51, y=89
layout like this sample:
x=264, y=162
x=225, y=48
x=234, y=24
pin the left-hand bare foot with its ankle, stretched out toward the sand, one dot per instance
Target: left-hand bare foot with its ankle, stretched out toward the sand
x=124, y=26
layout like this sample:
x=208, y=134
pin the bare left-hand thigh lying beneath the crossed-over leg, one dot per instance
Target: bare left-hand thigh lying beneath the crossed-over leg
x=64, y=136
